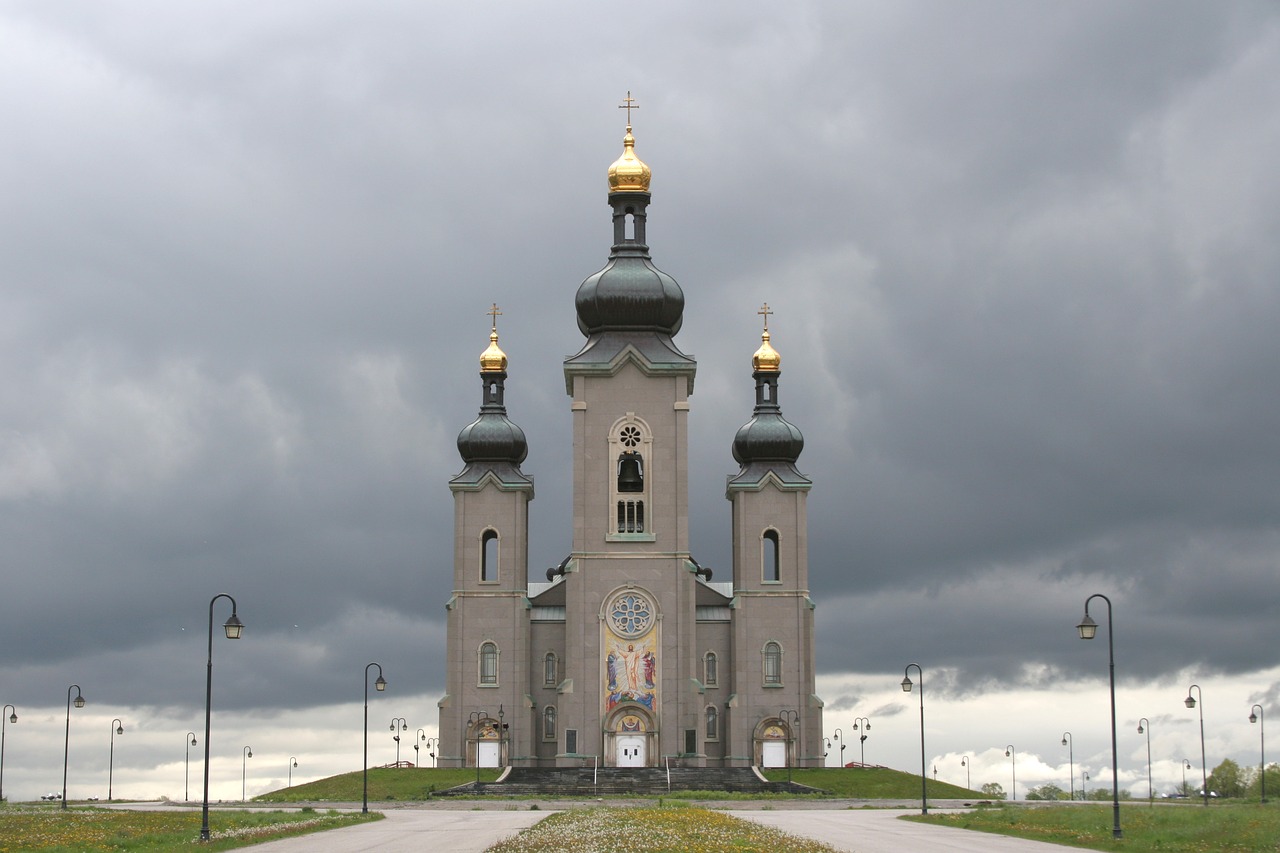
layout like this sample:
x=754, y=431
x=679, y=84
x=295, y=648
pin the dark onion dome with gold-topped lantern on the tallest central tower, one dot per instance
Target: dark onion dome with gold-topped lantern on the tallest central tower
x=630, y=294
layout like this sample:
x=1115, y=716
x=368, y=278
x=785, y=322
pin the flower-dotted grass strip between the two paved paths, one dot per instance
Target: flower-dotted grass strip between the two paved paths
x=657, y=831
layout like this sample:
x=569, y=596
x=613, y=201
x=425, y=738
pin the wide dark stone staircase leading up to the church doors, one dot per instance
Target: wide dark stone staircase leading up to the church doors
x=610, y=782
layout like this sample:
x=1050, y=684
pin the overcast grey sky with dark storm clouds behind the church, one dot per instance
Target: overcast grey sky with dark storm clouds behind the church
x=1025, y=266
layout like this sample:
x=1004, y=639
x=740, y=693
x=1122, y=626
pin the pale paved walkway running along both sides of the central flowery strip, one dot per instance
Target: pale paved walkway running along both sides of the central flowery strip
x=858, y=831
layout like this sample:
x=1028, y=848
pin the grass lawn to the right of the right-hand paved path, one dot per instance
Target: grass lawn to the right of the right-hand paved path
x=1186, y=829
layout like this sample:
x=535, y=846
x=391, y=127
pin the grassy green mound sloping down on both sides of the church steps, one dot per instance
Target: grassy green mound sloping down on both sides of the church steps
x=419, y=783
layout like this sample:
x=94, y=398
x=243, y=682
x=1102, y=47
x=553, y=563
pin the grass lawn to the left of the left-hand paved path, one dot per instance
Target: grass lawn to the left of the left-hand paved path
x=81, y=831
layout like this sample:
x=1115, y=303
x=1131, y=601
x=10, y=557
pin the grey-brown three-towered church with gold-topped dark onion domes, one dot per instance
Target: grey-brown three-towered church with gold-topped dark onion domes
x=628, y=654
